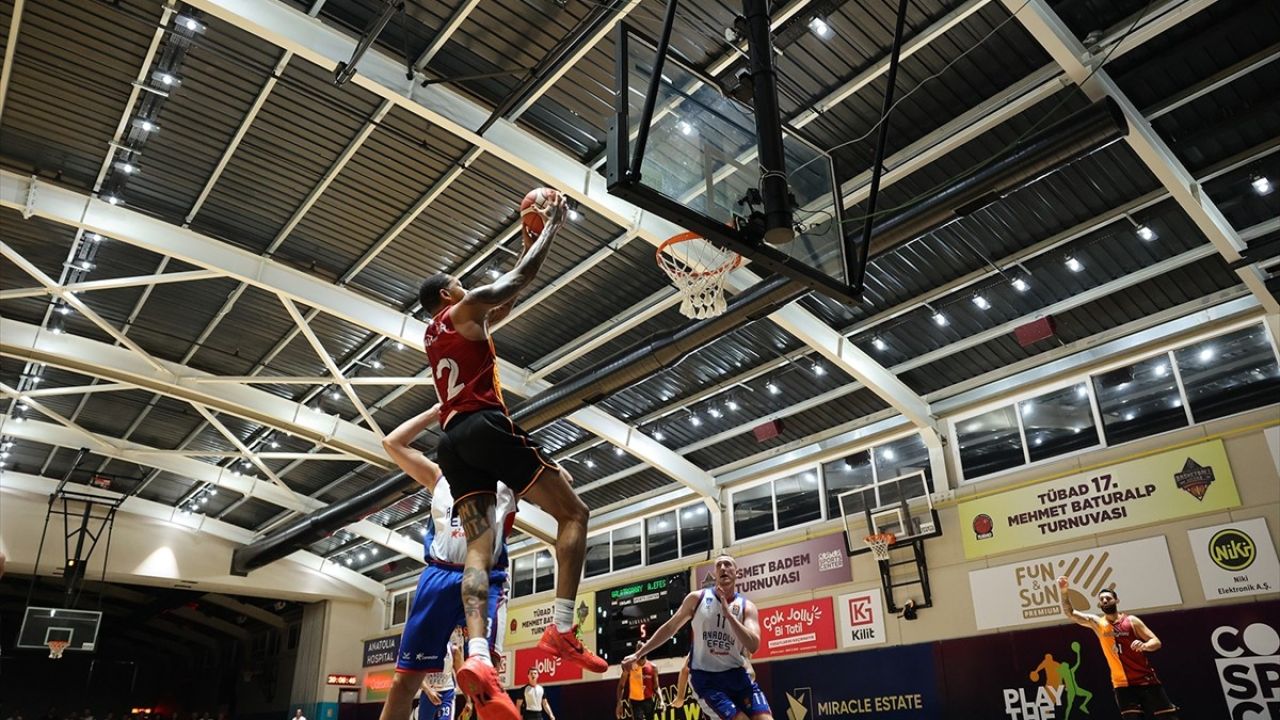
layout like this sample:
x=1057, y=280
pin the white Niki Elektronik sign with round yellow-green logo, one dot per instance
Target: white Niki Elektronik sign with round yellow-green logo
x=1236, y=559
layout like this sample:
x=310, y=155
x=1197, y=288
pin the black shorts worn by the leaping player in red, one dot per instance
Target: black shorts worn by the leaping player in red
x=486, y=446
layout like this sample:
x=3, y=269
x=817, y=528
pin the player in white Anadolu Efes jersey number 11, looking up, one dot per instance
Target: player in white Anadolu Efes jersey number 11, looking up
x=726, y=631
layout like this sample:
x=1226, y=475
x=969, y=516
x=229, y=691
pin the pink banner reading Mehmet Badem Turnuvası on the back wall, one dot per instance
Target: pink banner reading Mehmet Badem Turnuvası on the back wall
x=789, y=569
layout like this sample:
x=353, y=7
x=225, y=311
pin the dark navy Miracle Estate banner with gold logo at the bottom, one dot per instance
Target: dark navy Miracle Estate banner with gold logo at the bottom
x=897, y=683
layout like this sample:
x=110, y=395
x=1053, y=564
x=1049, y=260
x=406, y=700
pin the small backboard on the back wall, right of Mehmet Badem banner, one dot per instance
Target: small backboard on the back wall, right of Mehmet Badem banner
x=903, y=507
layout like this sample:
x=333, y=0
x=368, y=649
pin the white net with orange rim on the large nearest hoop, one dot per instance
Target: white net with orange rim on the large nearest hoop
x=700, y=271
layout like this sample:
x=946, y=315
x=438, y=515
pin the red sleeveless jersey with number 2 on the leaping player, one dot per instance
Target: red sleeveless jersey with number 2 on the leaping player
x=465, y=371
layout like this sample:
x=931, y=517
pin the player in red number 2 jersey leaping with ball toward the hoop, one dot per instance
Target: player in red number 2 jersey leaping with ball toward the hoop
x=482, y=445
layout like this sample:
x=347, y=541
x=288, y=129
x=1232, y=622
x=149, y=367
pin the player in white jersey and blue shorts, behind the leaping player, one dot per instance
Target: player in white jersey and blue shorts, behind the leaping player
x=437, y=609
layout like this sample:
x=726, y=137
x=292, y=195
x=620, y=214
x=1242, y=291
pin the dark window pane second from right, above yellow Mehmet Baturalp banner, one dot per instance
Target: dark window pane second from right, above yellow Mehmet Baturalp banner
x=1140, y=400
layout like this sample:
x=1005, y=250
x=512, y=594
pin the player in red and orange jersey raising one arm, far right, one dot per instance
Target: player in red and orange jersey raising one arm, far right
x=1126, y=642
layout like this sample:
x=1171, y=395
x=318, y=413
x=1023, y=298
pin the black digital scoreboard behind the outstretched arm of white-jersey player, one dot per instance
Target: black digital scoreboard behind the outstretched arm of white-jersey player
x=628, y=616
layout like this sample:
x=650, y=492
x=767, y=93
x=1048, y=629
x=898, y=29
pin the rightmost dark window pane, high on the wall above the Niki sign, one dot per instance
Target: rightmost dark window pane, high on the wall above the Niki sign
x=1229, y=375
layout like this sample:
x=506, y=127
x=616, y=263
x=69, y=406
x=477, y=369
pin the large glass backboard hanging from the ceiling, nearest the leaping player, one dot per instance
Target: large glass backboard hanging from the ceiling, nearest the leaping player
x=694, y=161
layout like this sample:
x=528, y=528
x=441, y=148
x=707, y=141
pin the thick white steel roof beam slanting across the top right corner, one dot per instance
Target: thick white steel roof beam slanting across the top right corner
x=1085, y=70
